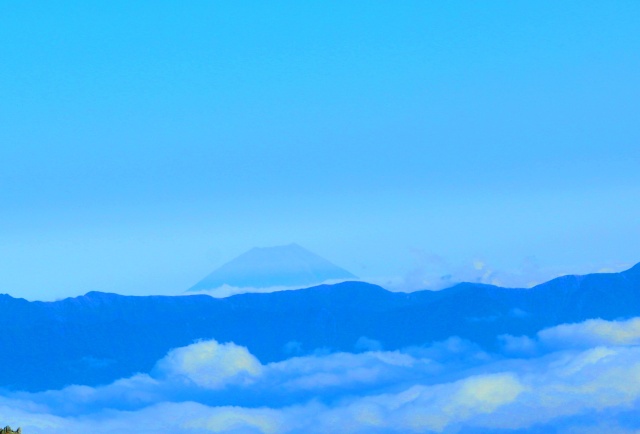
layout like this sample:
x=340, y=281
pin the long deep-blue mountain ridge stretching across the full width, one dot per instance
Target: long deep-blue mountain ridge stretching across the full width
x=99, y=337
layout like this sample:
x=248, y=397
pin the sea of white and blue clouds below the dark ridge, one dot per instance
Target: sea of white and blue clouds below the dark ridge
x=573, y=378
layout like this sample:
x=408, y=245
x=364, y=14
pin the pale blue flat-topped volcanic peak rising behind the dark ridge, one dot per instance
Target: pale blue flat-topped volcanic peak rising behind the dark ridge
x=263, y=267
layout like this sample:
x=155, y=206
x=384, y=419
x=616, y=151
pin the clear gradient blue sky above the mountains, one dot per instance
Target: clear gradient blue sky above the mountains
x=143, y=144
